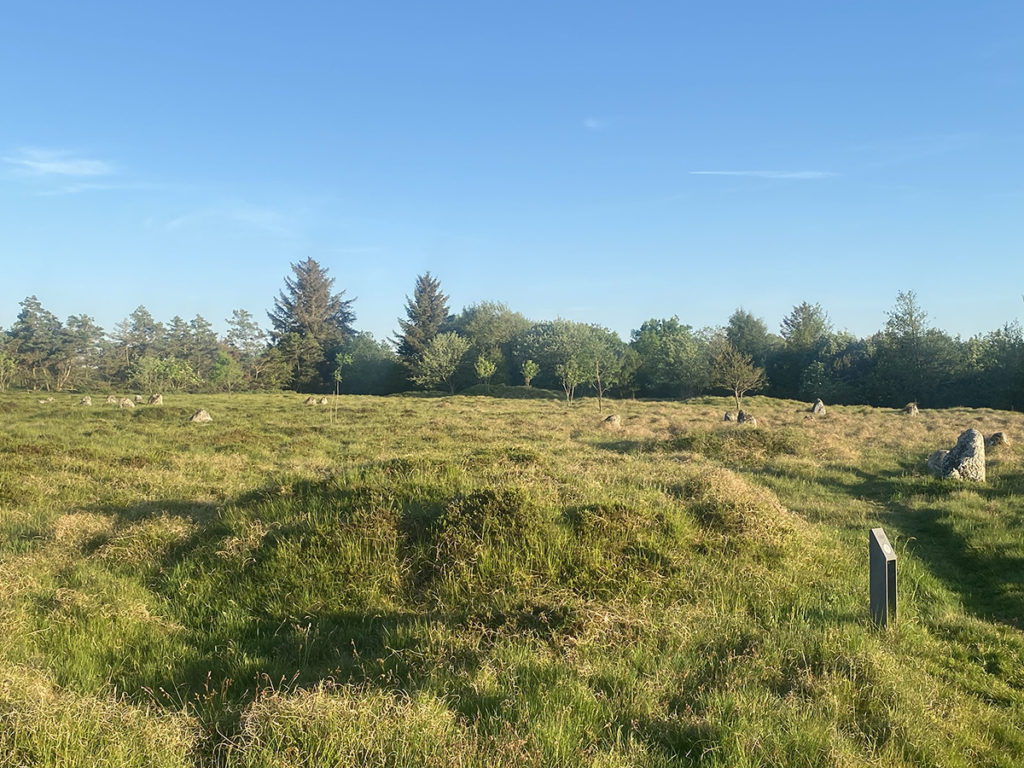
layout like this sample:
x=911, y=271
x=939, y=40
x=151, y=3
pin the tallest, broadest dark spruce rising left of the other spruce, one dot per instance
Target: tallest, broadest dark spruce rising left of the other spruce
x=311, y=324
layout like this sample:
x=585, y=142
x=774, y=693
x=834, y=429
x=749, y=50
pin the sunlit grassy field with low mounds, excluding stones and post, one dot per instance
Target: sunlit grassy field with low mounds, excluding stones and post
x=483, y=582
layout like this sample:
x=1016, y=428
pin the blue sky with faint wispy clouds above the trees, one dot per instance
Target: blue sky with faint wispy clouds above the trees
x=606, y=162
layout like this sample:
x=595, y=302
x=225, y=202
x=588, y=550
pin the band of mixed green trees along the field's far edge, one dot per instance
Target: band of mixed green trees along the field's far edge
x=312, y=346
